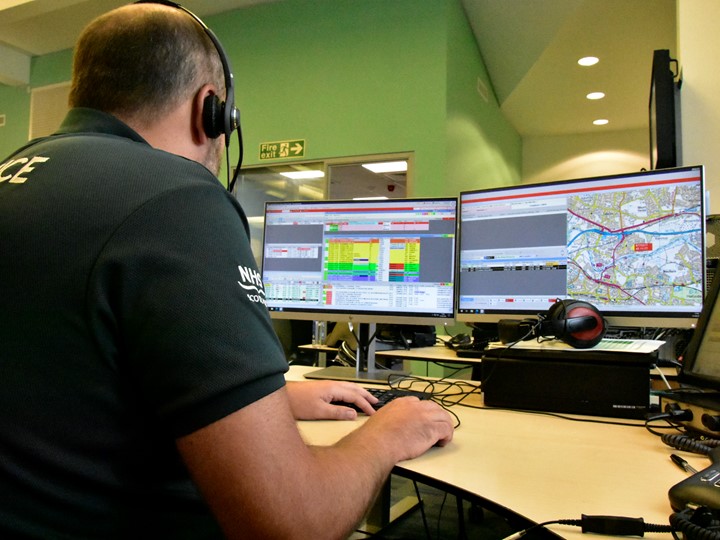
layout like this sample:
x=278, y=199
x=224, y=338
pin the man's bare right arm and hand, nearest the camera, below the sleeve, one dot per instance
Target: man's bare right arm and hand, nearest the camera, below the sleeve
x=262, y=481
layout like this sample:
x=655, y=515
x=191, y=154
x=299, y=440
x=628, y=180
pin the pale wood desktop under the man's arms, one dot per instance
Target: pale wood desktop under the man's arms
x=543, y=467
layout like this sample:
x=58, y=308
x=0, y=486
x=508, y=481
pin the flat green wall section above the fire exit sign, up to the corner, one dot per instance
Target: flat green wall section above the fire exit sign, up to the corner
x=349, y=77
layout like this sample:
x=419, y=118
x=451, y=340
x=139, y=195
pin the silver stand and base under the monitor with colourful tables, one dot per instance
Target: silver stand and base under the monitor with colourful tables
x=365, y=370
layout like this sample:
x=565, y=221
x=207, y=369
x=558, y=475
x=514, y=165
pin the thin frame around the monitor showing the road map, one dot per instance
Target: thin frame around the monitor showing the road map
x=634, y=319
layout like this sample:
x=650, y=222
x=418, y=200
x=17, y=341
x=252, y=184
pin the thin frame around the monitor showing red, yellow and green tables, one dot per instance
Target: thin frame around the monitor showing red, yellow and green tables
x=357, y=316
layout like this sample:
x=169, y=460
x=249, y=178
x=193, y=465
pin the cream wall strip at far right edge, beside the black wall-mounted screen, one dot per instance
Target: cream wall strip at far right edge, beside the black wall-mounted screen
x=698, y=50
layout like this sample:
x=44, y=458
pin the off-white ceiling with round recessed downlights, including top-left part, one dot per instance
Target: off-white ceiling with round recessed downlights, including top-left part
x=530, y=48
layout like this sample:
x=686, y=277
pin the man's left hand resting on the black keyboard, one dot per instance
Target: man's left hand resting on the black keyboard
x=312, y=400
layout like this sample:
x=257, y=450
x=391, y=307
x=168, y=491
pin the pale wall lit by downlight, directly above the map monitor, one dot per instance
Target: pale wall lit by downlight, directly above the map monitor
x=579, y=156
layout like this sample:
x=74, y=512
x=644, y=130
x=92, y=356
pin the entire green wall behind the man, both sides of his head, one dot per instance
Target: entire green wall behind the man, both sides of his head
x=351, y=78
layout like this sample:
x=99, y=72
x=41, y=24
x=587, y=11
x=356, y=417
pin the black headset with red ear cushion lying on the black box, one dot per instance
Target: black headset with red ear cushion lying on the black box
x=577, y=323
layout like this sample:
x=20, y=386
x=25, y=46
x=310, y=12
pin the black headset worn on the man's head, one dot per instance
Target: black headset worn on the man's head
x=219, y=117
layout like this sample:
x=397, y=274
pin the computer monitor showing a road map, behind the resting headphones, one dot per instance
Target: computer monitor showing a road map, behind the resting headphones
x=633, y=245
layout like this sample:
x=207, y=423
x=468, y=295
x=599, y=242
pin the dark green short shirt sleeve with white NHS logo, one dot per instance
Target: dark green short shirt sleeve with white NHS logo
x=176, y=291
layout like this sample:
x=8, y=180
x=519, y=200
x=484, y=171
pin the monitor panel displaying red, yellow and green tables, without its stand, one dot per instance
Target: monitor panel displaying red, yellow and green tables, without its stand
x=331, y=259
